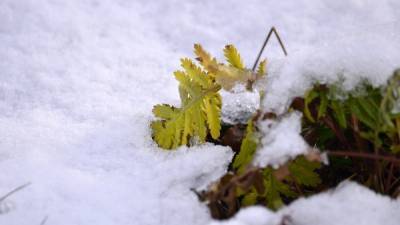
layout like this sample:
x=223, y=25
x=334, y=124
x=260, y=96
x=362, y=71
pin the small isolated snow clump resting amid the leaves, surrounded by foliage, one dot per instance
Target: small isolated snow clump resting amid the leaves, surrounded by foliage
x=281, y=141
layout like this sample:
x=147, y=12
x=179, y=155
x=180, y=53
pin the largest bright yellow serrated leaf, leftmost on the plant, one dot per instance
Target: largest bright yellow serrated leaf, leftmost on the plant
x=199, y=112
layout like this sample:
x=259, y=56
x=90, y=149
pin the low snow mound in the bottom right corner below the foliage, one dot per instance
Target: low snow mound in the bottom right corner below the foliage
x=348, y=204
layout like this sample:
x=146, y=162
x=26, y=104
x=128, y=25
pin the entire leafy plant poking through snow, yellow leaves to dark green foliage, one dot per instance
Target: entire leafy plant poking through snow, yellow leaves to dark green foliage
x=359, y=130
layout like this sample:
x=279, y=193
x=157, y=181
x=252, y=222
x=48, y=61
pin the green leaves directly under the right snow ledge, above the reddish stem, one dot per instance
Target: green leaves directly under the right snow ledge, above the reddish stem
x=368, y=111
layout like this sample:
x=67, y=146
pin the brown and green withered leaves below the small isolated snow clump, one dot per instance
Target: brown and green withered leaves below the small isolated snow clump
x=272, y=187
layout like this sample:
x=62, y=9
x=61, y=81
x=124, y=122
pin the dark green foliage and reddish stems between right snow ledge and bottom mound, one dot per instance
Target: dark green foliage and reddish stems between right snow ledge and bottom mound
x=363, y=124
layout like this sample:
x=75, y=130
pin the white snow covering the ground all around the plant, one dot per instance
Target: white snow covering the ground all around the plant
x=78, y=79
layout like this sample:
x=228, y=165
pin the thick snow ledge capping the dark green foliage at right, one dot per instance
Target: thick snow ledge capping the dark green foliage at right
x=370, y=53
